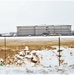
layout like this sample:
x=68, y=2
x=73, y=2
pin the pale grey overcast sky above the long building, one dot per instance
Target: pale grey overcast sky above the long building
x=15, y=13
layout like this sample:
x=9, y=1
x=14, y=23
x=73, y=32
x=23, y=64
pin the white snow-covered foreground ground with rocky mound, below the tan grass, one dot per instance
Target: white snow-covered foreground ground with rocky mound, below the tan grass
x=47, y=62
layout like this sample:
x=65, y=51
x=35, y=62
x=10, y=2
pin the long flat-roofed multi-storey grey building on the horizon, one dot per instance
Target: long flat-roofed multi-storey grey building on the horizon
x=44, y=30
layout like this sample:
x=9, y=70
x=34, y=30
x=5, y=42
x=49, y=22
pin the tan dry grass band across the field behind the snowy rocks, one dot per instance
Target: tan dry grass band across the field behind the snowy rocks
x=14, y=46
